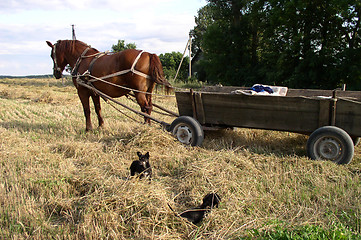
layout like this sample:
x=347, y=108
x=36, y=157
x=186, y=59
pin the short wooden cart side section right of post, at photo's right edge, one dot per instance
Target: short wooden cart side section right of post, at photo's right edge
x=348, y=116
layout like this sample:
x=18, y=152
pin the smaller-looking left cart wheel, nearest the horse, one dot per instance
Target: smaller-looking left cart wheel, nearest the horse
x=187, y=130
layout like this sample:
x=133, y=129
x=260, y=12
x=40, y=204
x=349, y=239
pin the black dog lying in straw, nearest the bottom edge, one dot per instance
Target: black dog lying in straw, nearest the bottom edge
x=196, y=215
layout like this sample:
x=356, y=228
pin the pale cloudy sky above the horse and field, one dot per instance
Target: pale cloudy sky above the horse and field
x=156, y=26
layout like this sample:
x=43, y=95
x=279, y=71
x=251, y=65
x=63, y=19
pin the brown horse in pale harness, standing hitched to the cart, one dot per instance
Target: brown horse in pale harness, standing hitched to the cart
x=130, y=68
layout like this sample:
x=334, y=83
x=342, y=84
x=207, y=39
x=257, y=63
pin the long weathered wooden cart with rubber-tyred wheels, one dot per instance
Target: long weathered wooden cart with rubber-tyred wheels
x=331, y=118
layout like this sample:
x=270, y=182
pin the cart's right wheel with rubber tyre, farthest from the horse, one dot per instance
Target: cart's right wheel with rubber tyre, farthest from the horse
x=330, y=143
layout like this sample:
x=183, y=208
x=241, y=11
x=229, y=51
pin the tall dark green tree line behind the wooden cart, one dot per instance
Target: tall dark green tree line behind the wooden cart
x=299, y=44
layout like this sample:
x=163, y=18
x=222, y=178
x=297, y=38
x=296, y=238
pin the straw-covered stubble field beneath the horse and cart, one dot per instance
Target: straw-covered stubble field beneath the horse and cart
x=58, y=182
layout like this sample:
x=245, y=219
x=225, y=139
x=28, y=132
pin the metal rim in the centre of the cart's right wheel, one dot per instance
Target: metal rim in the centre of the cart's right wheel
x=329, y=148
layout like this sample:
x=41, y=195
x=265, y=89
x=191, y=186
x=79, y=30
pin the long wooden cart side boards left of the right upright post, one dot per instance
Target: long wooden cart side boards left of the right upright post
x=296, y=114
